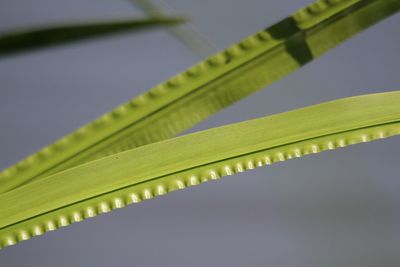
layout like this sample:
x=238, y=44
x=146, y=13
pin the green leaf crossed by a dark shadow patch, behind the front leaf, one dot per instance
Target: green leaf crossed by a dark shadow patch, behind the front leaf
x=190, y=97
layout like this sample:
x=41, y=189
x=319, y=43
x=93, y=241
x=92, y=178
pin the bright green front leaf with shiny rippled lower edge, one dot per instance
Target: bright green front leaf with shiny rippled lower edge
x=156, y=169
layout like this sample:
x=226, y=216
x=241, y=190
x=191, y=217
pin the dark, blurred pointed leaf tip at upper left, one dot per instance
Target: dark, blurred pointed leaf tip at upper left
x=27, y=39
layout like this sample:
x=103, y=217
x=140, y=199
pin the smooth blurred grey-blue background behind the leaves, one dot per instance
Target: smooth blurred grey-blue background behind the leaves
x=339, y=208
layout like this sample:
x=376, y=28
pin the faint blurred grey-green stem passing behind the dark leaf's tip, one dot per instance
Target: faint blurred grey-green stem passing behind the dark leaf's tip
x=197, y=43
